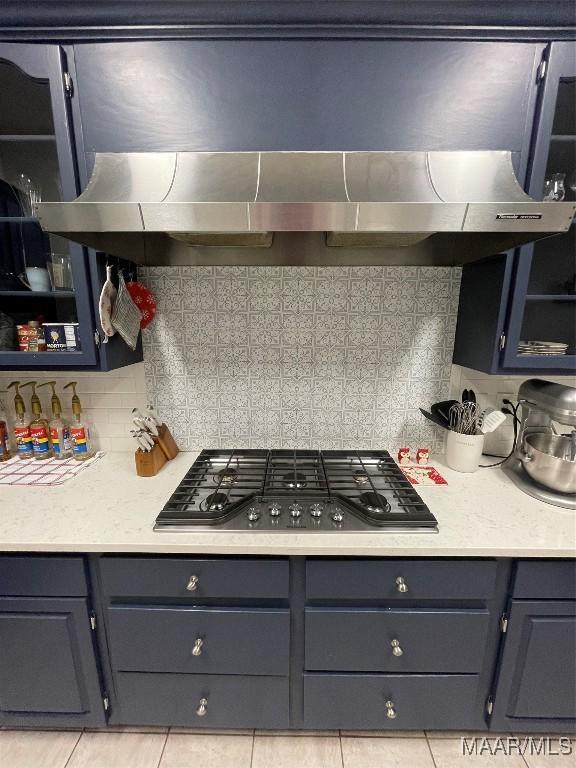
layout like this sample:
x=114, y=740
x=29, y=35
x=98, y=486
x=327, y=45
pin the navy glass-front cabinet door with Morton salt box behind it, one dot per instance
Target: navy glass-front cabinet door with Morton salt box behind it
x=46, y=309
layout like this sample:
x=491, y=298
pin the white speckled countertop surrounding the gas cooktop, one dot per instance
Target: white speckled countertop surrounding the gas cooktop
x=108, y=508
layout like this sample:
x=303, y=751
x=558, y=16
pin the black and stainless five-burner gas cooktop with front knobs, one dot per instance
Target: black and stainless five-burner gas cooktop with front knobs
x=285, y=490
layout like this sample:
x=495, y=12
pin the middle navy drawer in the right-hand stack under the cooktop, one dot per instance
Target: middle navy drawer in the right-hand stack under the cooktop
x=384, y=640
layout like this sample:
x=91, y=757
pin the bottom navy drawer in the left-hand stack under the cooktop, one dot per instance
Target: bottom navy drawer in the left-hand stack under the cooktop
x=222, y=701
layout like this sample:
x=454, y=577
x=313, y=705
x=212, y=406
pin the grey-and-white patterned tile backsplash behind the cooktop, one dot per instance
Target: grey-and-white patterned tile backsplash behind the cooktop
x=300, y=357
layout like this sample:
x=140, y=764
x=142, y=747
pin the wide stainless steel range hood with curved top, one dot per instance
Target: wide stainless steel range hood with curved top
x=378, y=207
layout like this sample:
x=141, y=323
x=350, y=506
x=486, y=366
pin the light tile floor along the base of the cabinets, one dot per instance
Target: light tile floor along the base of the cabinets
x=187, y=748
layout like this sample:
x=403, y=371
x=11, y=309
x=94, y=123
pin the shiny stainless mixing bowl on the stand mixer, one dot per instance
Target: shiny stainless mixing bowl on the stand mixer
x=547, y=459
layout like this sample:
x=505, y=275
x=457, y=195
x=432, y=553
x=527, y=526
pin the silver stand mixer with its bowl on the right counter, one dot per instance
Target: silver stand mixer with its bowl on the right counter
x=543, y=463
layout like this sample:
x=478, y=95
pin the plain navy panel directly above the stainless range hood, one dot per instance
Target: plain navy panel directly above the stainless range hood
x=306, y=95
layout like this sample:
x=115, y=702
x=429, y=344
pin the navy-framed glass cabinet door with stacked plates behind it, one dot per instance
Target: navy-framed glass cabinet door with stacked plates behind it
x=543, y=304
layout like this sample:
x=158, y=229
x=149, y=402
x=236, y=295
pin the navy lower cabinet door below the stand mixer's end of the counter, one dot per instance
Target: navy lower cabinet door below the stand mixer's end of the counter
x=536, y=687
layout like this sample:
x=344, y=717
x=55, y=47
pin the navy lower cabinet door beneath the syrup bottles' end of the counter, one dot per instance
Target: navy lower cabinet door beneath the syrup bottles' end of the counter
x=48, y=672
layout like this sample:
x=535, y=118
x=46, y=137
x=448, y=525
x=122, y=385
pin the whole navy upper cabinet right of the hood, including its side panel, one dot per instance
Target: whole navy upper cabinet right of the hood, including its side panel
x=530, y=295
